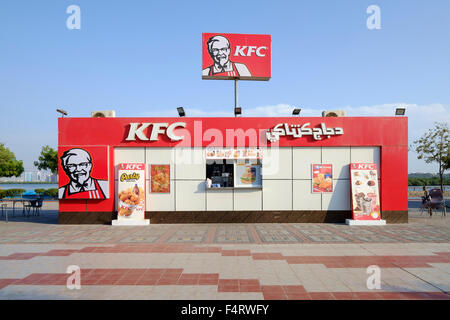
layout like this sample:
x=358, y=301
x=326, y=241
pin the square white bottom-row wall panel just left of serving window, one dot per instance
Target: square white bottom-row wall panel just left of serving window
x=190, y=195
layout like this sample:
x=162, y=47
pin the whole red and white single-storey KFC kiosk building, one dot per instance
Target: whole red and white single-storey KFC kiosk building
x=233, y=170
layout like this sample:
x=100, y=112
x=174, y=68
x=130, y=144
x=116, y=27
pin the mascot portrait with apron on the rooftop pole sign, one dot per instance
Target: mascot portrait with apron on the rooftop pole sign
x=219, y=49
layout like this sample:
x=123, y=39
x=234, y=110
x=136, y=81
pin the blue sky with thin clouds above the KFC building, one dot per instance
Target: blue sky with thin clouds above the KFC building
x=143, y=58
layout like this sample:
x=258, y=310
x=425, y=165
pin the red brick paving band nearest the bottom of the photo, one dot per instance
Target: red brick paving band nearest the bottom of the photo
x=119, y=277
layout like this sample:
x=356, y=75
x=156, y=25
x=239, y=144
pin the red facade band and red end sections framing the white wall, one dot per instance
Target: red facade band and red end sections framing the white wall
x=388, y=133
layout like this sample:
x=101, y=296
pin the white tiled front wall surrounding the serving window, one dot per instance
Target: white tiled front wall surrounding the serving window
x=286, y=179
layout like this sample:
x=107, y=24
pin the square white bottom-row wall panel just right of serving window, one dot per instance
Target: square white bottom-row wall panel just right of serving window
x=277, y=194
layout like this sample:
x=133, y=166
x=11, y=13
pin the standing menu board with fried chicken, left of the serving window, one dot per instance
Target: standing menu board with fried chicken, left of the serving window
x=131, y=191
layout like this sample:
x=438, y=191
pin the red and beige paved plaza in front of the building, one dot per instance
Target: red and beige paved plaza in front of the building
x=224, y=261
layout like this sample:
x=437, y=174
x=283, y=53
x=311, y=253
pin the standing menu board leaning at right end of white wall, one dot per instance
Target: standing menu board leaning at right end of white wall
x=365, y=191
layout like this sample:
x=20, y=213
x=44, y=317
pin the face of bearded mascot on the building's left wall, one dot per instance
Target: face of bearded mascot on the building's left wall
x=77, y=164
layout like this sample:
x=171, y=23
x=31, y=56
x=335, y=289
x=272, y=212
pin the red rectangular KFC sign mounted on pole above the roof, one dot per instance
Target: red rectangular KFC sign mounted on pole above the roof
x=236, y=56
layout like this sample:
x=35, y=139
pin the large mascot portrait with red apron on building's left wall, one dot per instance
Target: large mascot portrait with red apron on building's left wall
x=77, y=164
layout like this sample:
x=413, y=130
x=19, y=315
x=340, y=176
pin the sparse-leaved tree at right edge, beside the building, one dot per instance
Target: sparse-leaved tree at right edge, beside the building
x=433, y=146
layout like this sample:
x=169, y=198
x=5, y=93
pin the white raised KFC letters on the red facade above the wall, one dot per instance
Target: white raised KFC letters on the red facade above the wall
x=157, y=129
